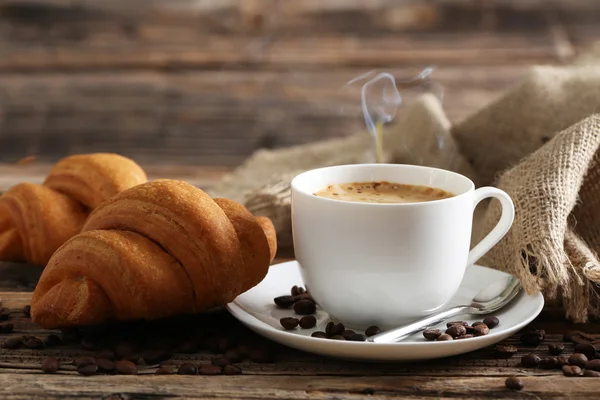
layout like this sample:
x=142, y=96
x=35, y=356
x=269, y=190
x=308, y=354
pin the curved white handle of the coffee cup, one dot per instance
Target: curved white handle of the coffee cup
x=501, y=228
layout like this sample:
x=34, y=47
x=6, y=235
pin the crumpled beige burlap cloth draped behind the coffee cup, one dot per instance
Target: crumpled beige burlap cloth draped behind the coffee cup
x=539, y=142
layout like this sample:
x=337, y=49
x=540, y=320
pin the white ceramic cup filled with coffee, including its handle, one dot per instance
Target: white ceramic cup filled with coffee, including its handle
x=383, y=244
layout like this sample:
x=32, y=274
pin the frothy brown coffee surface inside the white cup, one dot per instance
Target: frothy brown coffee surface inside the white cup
x=382, y=192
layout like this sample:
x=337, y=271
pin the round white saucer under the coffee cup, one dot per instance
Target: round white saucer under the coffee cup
x=255, y=309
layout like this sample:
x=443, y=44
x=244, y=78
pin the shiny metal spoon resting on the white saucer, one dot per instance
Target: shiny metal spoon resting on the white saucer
x=490, y=299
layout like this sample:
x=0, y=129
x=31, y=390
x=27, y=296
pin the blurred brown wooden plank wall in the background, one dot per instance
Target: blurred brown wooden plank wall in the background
x=207, y=82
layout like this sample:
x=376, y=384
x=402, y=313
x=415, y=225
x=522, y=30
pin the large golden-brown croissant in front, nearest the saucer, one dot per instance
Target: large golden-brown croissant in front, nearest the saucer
x=159, y=249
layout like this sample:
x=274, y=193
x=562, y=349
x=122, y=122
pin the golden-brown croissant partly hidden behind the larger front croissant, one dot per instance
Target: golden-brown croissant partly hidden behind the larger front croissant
x=35, y=220
